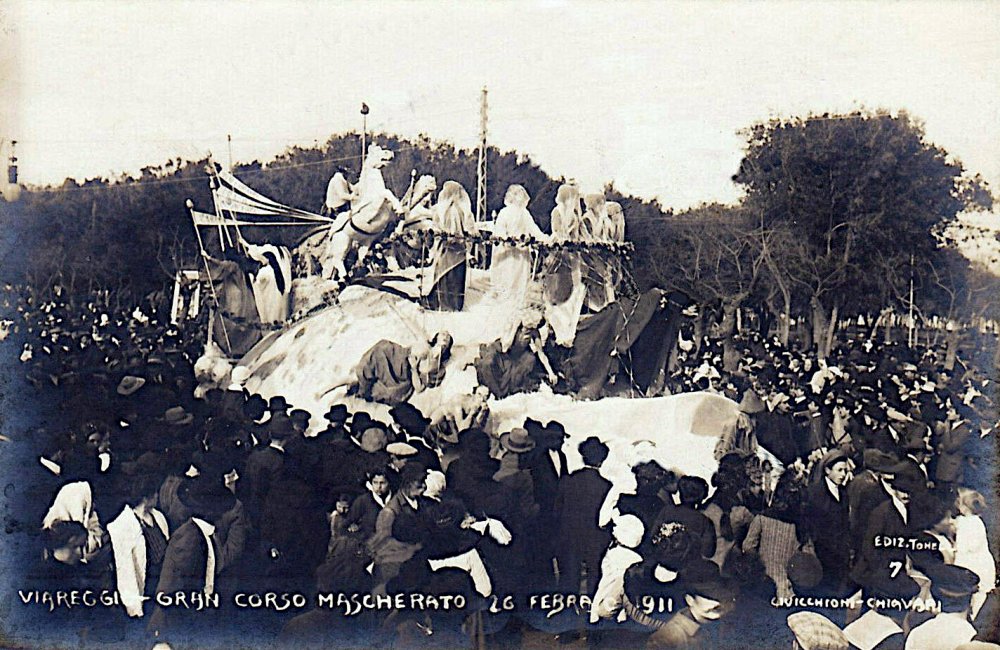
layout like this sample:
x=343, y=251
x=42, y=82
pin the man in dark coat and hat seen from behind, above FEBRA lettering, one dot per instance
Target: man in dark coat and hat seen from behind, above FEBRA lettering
x=581, y=540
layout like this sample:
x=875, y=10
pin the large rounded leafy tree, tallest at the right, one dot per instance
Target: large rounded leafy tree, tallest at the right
x=858, y=196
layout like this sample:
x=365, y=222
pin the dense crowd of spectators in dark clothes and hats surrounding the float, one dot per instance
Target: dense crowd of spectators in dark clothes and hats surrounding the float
x=877, y=487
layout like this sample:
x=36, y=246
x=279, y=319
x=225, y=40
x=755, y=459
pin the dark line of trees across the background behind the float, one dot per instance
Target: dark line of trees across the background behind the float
x=840, y=215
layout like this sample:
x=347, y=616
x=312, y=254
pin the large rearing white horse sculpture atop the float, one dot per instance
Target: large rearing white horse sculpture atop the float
x=373, y=206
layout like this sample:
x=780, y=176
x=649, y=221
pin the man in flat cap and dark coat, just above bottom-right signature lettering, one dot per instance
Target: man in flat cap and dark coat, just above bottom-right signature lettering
x=826, y=520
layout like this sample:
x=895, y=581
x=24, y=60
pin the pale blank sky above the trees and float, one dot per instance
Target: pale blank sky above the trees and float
x=650, y=95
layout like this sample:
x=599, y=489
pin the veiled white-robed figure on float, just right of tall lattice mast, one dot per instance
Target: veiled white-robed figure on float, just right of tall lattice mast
x=511, y=269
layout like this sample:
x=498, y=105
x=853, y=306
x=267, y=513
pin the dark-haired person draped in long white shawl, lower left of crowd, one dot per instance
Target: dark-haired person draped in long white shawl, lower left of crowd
x=133, y=556
